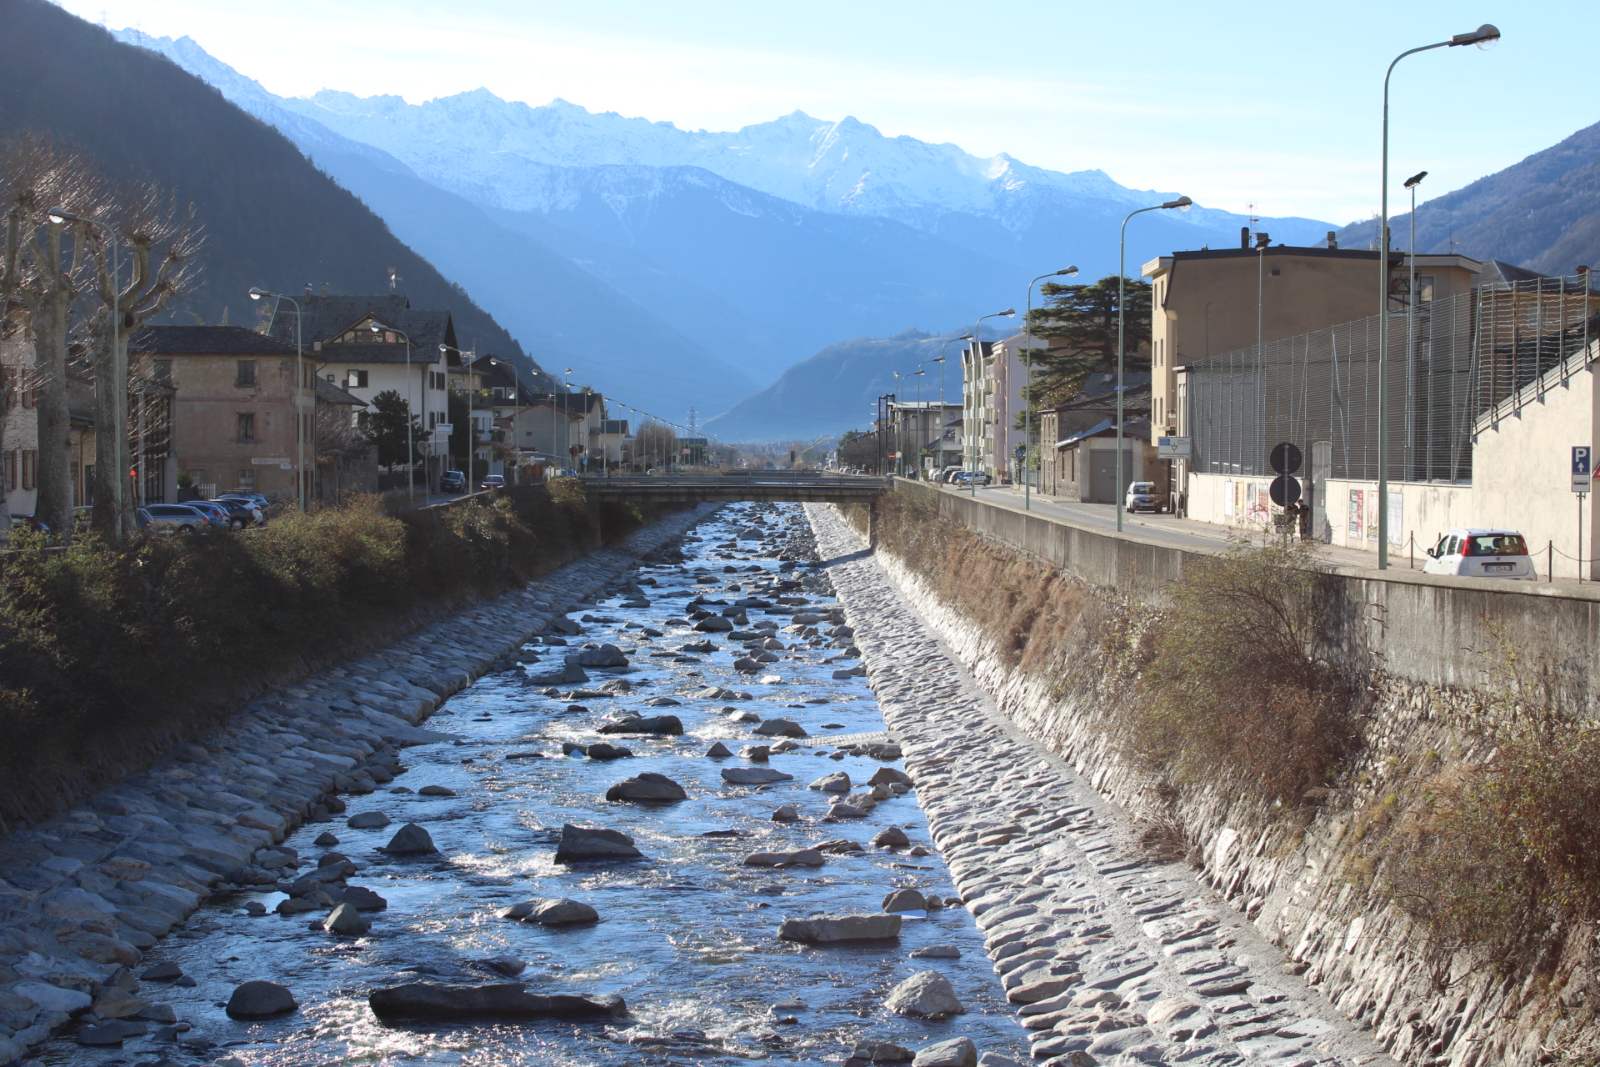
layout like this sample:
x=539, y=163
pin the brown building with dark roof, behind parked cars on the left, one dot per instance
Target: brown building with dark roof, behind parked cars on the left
x=236, y=407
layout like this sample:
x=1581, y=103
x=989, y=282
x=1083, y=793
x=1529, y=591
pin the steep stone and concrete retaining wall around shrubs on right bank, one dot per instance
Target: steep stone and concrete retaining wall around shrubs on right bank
x=1306, y=887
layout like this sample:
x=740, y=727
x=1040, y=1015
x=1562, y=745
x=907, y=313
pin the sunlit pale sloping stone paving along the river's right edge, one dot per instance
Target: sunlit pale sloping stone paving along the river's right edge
x=1110, y=956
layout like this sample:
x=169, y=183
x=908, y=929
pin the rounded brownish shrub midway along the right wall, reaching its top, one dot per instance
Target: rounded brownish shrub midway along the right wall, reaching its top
x=1234, y=690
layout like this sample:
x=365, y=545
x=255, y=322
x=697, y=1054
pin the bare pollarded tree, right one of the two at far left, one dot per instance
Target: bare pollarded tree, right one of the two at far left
x=159, y=241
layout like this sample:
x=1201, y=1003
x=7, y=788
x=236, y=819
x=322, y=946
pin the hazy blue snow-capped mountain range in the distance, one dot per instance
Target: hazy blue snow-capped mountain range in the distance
x=679, y=268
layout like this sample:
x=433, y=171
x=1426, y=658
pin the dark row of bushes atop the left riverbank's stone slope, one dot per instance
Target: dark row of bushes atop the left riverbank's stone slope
x=108, y=655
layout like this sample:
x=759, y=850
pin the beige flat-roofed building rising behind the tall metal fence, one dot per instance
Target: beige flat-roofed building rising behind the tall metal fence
x=1206, y=303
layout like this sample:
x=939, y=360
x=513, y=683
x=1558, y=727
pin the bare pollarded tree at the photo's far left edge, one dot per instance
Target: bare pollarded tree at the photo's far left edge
x=46, y=276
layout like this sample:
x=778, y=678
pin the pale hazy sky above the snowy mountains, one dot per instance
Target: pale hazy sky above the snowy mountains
x=1274, y=105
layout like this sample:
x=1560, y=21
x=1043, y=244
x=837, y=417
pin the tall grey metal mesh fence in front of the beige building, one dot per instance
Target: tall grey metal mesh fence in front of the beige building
x=1463, y=364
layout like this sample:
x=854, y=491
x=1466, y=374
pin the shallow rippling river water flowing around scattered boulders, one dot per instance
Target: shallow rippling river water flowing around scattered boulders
x=687, y=937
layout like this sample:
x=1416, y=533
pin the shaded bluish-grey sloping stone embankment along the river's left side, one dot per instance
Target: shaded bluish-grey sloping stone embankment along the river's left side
x=84, y=897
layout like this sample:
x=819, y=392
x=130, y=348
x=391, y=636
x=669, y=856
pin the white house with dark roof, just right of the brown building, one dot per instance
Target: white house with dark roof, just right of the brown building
x=374, y=345
